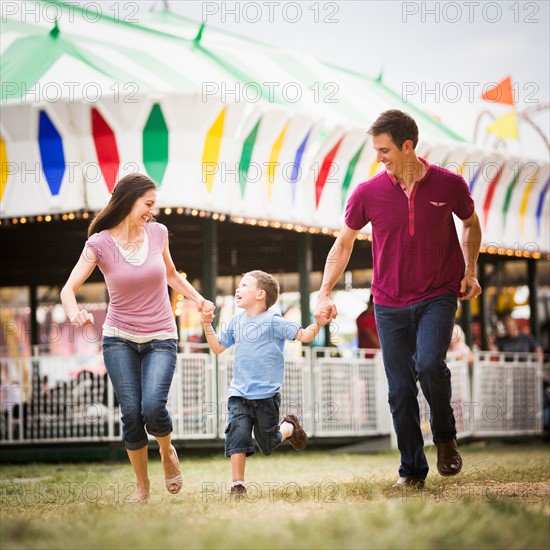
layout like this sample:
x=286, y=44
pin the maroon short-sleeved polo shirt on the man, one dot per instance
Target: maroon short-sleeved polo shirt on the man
x=415, y=247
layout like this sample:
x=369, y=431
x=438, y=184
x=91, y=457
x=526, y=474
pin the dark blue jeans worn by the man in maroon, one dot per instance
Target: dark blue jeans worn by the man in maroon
x=414, y=341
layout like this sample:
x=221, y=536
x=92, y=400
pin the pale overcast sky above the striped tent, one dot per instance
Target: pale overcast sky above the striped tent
x=439, y=55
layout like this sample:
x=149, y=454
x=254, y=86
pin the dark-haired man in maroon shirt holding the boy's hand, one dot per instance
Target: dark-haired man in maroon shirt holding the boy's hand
x=420, y=269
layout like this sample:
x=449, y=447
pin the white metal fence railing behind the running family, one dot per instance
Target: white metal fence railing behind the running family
x=55, y=399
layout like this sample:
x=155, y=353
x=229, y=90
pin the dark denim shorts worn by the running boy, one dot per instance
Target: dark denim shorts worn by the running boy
x=260, y=415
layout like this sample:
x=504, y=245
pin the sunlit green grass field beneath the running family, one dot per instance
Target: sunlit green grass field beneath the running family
x=295, y=500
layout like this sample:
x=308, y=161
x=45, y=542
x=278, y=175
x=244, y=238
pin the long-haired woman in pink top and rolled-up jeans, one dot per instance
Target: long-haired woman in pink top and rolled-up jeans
x=139, y=334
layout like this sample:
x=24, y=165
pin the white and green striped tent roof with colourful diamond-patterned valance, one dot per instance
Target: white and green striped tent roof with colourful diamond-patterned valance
x=222, y=123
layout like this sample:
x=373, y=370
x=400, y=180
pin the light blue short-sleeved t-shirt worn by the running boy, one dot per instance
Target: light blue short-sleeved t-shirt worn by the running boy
x=259, y=367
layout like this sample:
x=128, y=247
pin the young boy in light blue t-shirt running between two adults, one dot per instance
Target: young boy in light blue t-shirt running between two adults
x=254, y=395
